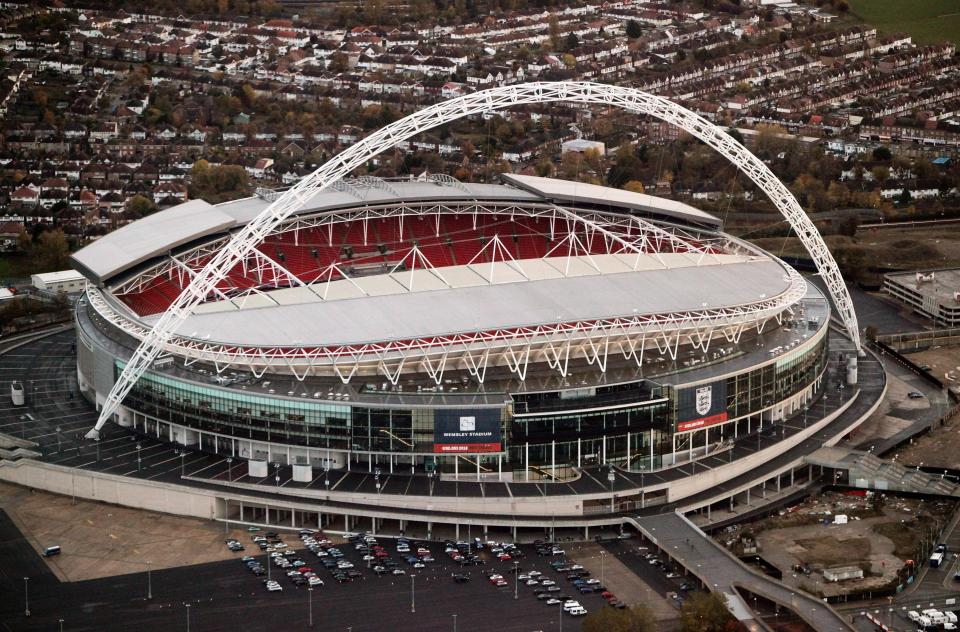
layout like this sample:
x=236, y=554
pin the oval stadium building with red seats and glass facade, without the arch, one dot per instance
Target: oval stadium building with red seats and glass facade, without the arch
x=517, y=331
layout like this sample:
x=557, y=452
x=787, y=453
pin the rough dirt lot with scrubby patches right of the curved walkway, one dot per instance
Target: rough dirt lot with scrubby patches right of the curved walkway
x=879, y=537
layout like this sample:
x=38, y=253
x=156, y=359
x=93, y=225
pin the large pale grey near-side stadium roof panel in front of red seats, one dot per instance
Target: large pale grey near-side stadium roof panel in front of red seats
x=403, y=315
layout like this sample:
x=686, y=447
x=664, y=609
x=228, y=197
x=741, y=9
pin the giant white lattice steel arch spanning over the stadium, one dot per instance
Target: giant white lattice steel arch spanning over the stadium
x=245, y=241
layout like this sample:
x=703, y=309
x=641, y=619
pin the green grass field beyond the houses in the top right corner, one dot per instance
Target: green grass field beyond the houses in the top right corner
x=927, y=21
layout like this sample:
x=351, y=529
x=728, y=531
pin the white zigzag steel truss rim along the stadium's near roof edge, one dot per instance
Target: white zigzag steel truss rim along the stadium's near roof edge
x=515, y=348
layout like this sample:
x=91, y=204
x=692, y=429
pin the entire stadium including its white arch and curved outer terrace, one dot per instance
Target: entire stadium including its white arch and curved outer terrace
x=422, y=348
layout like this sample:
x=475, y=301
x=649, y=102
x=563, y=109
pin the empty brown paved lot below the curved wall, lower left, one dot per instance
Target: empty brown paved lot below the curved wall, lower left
x=101, y=540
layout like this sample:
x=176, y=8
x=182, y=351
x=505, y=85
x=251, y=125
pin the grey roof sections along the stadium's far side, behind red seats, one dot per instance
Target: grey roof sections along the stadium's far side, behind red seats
x=160, y=234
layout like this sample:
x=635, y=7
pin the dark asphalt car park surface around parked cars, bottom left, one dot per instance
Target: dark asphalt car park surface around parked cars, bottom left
x=226, y=596
